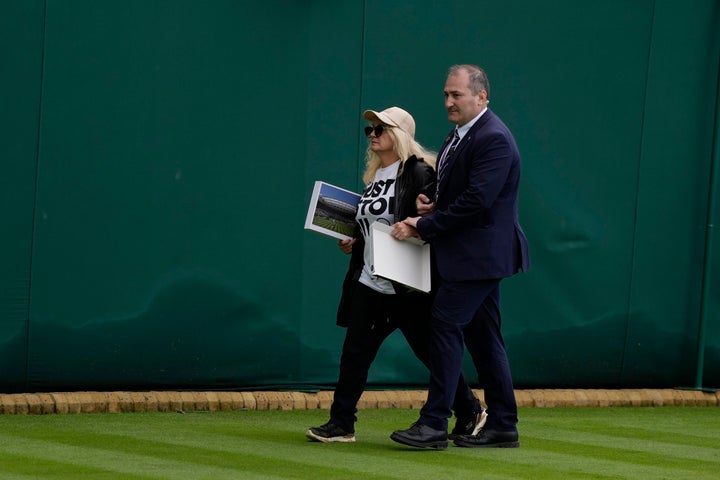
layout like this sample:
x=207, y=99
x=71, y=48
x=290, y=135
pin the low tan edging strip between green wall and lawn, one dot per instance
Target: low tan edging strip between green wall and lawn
x=187, y=401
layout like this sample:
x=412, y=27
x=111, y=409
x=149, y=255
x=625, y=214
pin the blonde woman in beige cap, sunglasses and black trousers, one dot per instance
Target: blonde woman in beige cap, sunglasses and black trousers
x=398, y=169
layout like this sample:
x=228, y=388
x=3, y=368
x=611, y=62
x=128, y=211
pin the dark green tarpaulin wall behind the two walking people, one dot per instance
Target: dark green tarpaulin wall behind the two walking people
x=157, y=158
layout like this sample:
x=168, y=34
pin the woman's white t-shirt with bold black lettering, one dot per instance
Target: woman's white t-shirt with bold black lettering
x=377, y=205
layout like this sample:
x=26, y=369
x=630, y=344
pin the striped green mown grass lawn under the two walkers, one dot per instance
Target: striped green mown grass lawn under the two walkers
x=556, y=443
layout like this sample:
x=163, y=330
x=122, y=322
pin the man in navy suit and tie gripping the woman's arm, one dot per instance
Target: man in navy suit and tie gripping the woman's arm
x=477, y=241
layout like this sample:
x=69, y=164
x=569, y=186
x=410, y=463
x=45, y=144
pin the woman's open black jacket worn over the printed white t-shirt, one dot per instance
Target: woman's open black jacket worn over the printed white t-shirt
x=415, y=177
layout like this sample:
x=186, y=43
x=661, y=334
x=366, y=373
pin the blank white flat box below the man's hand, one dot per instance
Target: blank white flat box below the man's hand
x=403, y=261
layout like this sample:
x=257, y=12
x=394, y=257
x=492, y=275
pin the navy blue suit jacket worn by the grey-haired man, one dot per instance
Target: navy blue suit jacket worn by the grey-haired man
x=474, y=229
